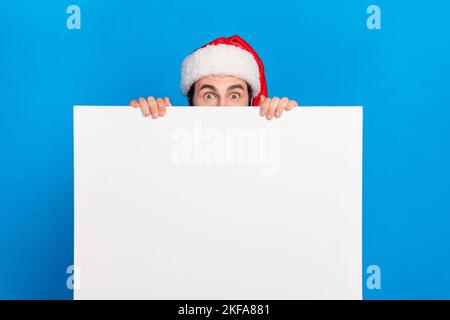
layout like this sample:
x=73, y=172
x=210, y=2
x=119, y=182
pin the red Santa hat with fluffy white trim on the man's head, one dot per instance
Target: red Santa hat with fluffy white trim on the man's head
x=225, y=56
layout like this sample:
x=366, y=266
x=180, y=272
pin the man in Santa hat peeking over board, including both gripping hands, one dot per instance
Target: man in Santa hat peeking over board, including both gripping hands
x=224, y=72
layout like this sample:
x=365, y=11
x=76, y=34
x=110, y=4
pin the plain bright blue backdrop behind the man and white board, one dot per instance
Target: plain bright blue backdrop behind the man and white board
x=317, y=52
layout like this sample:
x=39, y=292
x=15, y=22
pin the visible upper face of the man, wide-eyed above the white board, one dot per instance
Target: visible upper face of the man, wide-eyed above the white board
x=220, y=91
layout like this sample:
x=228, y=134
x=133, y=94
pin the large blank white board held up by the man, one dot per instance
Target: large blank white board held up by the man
x=218, y=203
